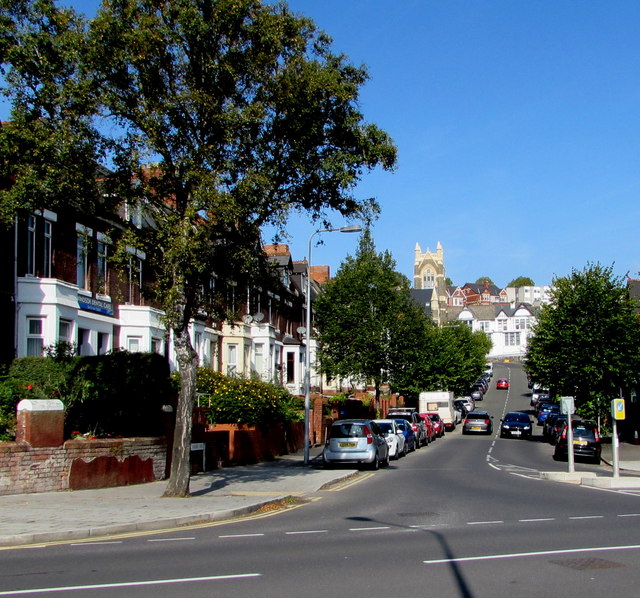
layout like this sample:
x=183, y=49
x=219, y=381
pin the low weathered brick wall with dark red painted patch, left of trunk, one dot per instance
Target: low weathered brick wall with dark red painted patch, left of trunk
x=81, y=464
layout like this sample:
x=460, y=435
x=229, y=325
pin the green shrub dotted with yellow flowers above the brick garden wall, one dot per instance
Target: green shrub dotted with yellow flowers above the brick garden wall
x=239, y=401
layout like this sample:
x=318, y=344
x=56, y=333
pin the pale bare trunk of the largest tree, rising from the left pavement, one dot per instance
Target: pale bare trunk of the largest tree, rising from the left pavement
x=178, y=485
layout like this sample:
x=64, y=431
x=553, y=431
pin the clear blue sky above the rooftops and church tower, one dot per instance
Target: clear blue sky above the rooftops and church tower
x=517, y=125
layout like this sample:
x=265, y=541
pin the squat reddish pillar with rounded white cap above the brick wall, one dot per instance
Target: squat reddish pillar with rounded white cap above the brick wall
x=40, y=423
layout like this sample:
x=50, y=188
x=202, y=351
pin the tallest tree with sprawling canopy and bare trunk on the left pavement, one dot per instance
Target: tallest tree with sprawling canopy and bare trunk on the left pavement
x=216, y=117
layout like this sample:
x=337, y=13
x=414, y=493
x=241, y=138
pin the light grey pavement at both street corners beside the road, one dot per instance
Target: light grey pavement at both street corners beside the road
x=222, y=494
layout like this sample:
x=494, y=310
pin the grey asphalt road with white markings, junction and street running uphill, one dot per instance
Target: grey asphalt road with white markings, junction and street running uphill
x=466, y=516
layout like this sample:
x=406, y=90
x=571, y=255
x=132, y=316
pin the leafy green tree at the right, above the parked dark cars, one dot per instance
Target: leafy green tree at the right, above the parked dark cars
x=586, y=343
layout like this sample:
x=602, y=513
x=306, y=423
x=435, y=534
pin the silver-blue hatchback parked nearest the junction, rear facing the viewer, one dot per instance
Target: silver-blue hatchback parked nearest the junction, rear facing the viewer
x=358, y=441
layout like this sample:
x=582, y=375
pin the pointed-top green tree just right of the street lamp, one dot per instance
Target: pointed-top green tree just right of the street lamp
x=368, y=327
